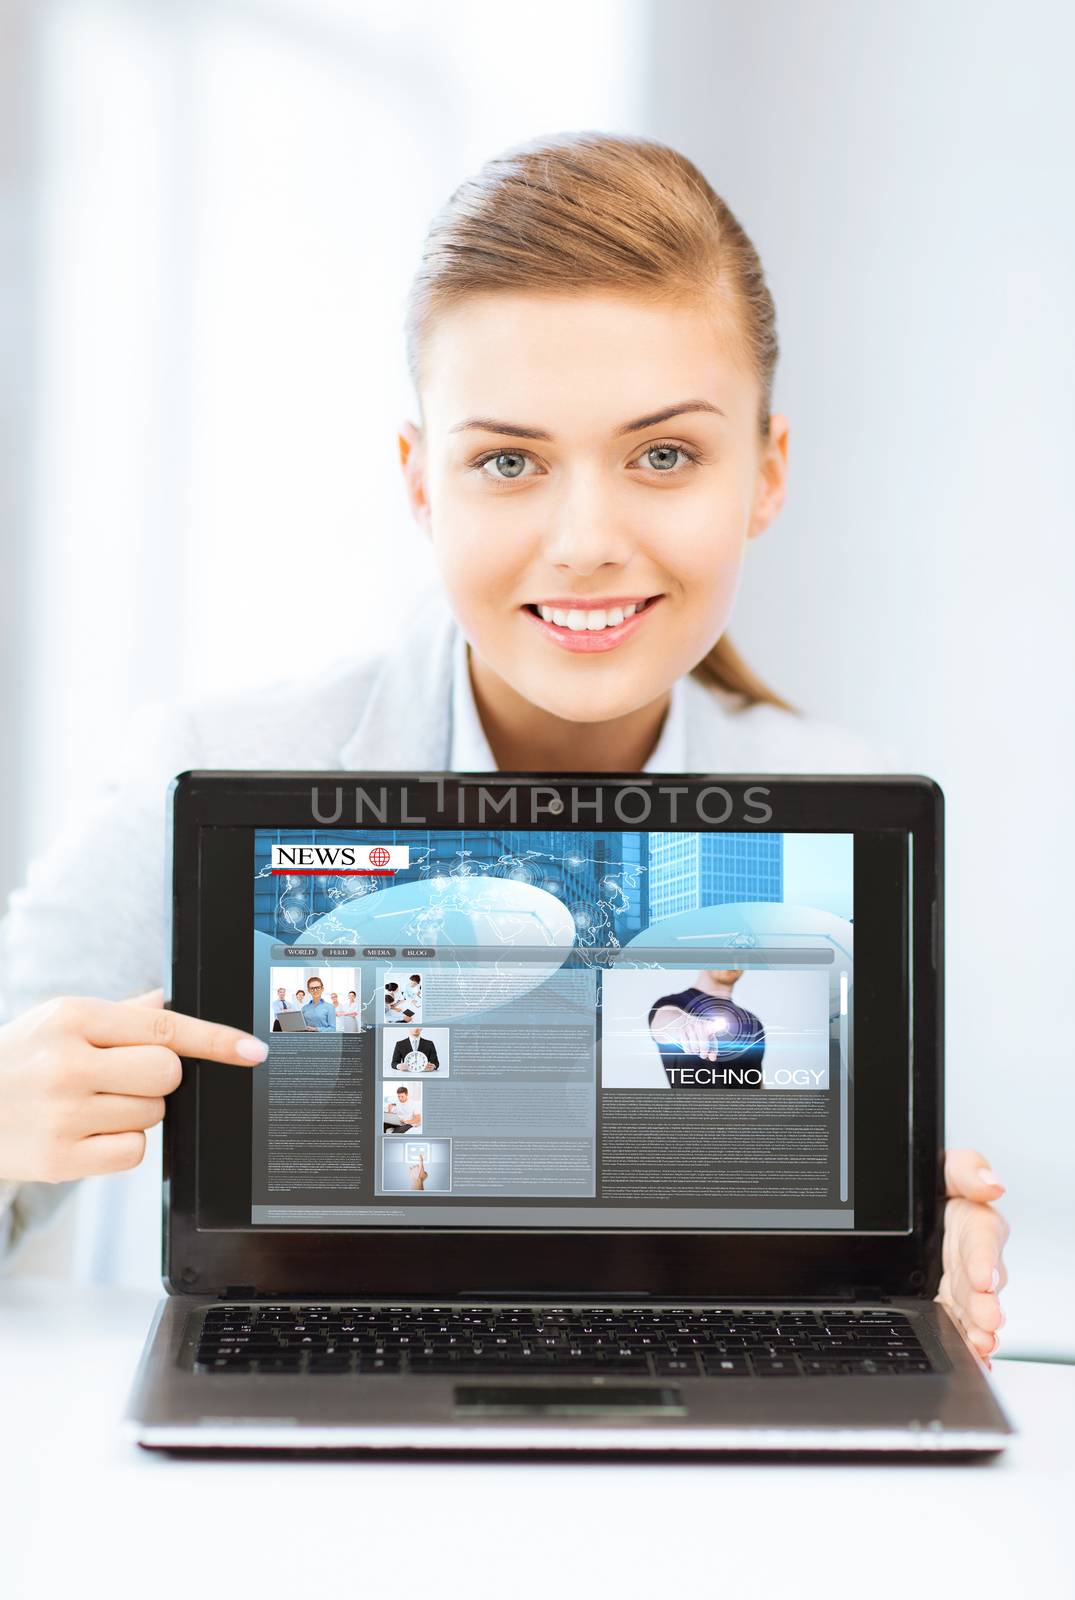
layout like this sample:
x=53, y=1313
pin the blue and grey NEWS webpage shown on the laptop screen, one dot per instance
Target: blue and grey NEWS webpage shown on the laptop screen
x=553, y=1030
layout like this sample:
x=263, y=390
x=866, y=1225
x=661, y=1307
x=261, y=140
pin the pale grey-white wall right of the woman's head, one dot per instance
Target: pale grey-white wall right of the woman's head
x=903, y=169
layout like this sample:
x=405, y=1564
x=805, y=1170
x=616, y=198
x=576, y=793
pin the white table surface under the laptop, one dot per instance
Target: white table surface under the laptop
x=84, y=1513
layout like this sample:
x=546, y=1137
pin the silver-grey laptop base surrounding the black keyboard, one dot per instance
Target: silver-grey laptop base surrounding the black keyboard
x=946, y=1412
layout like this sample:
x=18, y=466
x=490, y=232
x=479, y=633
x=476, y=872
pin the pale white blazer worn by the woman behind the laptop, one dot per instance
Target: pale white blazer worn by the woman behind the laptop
x=90, y=919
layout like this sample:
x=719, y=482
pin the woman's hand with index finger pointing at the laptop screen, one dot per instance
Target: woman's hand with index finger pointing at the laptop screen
x=81, y=1081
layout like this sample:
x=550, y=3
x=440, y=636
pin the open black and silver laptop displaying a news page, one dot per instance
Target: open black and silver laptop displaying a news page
x=673, y=1167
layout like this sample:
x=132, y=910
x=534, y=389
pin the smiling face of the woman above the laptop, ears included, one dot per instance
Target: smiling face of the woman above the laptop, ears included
x=545, y=479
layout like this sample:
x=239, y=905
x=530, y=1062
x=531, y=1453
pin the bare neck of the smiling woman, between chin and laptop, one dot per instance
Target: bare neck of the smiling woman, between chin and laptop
x=527, y=738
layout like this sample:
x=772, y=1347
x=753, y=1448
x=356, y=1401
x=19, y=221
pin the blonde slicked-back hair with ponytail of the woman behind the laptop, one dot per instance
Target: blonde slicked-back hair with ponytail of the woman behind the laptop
x=581, y=212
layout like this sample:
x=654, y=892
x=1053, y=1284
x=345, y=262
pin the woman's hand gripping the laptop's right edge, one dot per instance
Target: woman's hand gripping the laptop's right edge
x=975, y=1233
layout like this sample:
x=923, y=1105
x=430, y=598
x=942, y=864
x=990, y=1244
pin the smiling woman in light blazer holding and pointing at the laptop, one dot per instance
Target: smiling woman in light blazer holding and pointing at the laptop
x=593, y=346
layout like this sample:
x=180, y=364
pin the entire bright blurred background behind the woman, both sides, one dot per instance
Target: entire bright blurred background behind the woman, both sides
x=215, y=210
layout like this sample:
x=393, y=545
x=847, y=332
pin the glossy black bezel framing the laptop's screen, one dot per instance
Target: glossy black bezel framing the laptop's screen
x=266, y=1262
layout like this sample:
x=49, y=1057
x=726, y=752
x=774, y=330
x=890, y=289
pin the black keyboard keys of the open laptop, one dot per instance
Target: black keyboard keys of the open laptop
x=588, y=1342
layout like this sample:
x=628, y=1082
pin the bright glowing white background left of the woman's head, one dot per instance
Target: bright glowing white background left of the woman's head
x=214, y=210
